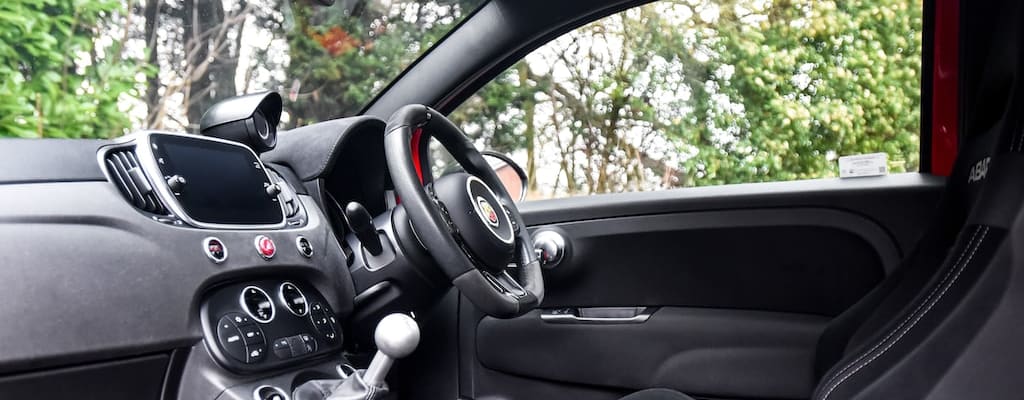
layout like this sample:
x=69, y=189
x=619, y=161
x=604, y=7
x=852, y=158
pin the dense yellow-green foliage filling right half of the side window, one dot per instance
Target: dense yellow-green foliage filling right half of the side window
x=817, y=80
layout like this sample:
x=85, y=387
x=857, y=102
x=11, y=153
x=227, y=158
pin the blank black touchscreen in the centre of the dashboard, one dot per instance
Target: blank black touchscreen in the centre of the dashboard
x=225, y=184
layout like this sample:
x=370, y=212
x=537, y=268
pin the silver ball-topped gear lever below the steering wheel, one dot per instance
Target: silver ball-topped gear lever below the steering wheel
x=397, y=337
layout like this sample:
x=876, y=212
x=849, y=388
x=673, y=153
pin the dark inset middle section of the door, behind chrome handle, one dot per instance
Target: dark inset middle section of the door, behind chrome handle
x=816, y=261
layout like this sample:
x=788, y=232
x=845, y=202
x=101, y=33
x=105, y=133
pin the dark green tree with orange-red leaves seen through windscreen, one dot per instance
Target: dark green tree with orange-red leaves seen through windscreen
x=340, y=58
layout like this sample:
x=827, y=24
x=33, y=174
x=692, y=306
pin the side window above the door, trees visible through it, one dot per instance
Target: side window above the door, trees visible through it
x=693, y=94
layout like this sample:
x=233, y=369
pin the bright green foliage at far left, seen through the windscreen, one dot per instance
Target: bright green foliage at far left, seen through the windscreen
x=56, y=81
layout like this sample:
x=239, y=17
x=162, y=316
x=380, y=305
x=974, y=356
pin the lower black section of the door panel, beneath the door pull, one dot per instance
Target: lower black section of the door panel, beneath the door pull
x=727, y=352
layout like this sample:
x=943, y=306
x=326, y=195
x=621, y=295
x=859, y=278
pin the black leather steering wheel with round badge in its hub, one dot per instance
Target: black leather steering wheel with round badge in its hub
x=467, y=221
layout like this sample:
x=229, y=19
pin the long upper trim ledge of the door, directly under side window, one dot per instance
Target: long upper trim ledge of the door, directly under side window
x=894, y=202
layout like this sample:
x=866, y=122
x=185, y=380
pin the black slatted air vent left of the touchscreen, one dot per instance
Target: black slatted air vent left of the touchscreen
x=122, y=164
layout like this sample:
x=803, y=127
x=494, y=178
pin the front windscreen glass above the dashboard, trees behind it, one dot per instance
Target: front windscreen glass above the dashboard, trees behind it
x=106, y=68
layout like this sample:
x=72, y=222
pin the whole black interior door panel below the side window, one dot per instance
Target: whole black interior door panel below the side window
x=742, y=281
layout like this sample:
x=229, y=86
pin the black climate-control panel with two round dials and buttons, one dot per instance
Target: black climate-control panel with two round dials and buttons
x=242, y=342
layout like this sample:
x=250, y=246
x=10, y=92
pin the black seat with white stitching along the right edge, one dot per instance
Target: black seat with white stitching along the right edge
x=946, y=325
